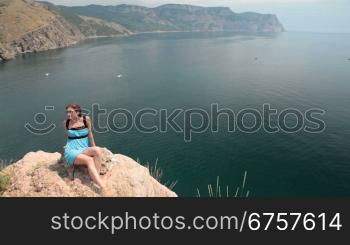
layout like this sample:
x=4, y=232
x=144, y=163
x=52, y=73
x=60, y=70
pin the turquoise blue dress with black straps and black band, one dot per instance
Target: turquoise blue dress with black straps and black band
x=77, y=142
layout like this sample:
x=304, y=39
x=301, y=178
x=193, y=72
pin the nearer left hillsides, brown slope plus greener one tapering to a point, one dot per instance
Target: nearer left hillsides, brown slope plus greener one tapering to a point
x=28, y=26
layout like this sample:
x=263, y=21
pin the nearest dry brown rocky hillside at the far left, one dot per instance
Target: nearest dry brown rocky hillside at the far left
x=28, y=27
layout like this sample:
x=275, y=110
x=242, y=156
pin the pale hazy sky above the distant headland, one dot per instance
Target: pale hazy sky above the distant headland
x=295, y=15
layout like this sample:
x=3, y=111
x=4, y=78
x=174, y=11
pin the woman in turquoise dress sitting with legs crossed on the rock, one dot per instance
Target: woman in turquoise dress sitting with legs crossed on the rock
x=80, y=149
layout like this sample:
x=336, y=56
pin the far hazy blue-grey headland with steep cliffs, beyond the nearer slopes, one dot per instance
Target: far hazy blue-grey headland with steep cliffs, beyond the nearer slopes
x=178, y=17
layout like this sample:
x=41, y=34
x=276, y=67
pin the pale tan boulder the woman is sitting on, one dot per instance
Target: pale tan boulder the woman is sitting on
x=42, y=174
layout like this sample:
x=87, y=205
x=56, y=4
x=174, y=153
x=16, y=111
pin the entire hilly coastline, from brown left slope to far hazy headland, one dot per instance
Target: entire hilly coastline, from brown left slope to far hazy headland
x=53, y=27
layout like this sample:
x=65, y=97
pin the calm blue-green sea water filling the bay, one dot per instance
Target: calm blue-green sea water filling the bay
x=194, y=70
